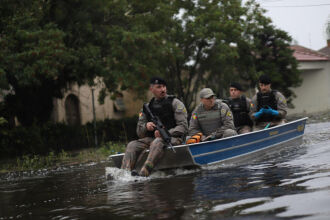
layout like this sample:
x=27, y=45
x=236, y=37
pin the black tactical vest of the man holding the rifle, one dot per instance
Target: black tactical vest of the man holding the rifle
x=164, y=111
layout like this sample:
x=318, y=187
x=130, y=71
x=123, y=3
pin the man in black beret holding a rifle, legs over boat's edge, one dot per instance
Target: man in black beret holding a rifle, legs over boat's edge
x=173, y=115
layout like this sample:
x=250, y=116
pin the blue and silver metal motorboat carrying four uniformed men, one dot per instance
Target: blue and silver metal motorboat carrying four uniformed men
x=235, y=149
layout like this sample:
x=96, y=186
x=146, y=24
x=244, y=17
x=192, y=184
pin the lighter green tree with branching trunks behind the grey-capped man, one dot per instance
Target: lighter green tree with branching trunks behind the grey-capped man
x=199, y=50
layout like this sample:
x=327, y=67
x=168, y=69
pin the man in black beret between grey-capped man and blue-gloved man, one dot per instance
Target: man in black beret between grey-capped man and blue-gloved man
x=239, y=104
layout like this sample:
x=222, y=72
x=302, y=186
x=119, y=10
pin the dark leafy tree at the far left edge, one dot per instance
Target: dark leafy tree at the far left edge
x=33, y=58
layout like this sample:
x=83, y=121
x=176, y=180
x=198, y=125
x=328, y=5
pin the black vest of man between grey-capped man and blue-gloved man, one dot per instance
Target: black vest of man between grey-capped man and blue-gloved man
x=240, y=111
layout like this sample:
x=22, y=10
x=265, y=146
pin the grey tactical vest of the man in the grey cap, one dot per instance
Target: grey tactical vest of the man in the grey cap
x=209, y=121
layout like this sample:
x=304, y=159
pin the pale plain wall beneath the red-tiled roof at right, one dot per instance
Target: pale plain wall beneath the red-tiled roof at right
x=313, y=95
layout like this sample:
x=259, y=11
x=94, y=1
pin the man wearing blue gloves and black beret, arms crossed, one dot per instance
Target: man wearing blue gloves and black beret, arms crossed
x=268, y=107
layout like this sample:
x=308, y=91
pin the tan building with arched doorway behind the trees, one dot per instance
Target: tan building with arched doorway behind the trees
x=76, y=107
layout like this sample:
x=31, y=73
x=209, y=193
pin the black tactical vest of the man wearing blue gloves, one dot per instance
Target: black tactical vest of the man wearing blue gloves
x=264, y=100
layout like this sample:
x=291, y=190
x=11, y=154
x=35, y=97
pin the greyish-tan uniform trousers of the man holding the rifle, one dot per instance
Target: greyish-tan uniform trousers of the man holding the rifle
x=155, y=146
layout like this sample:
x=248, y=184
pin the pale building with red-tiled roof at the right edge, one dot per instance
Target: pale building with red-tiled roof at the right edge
x=313, y=95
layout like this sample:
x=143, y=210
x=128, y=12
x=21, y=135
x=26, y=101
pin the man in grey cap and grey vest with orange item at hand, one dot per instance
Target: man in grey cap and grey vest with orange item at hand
x=211, y=119
